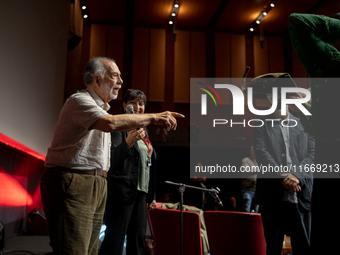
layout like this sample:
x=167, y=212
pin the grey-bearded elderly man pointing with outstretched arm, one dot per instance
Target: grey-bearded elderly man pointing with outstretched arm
x=74, y=186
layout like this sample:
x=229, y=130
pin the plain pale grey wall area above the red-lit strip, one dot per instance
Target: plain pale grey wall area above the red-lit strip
x=33, y=46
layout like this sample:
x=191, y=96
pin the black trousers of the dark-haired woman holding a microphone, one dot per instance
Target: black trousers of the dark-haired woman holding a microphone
x=121, y=220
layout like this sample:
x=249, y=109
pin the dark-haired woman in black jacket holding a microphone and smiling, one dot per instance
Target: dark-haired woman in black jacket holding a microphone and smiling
x=129, y=182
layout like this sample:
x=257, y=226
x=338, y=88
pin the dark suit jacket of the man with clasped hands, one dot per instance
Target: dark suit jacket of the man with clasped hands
x=270, y=149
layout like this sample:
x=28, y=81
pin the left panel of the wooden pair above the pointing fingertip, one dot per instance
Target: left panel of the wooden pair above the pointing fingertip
x=182, y=67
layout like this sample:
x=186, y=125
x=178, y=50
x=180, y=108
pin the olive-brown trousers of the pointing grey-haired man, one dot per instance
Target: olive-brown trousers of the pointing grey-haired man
x=74, y=206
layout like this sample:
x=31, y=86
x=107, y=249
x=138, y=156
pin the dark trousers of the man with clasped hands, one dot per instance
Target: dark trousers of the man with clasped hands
x=277, y=217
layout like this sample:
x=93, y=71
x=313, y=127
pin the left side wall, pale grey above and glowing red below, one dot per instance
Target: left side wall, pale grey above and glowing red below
x=33, y=46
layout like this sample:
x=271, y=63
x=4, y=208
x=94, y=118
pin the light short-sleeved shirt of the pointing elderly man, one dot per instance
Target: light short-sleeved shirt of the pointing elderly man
x=74, y=145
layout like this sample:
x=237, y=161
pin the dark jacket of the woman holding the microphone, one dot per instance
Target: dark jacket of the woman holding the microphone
x=123, y=173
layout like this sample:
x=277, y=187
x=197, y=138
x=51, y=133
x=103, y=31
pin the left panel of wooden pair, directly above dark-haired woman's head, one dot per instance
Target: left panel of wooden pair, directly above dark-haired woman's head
x=140, y=65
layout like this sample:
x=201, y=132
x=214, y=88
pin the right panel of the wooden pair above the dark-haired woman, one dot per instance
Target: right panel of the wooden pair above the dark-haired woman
x=156, y=65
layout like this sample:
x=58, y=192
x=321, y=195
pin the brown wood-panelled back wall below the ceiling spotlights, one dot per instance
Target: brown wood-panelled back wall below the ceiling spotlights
x=151, y=49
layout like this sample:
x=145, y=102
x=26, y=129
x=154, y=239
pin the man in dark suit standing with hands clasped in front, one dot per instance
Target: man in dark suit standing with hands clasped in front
x=284, y=191
